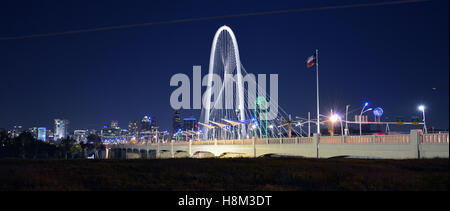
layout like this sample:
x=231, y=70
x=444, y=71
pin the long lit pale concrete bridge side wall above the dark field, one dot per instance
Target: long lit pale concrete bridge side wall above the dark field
x=402, y=146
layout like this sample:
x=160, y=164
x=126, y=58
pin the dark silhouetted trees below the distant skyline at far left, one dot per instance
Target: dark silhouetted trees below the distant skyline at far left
x=28, y=147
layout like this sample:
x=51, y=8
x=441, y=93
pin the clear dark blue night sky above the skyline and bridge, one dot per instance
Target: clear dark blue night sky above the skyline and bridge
x=390, y=55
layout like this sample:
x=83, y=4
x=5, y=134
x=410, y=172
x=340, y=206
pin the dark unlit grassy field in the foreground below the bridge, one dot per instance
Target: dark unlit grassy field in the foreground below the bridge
x=262, y=174
